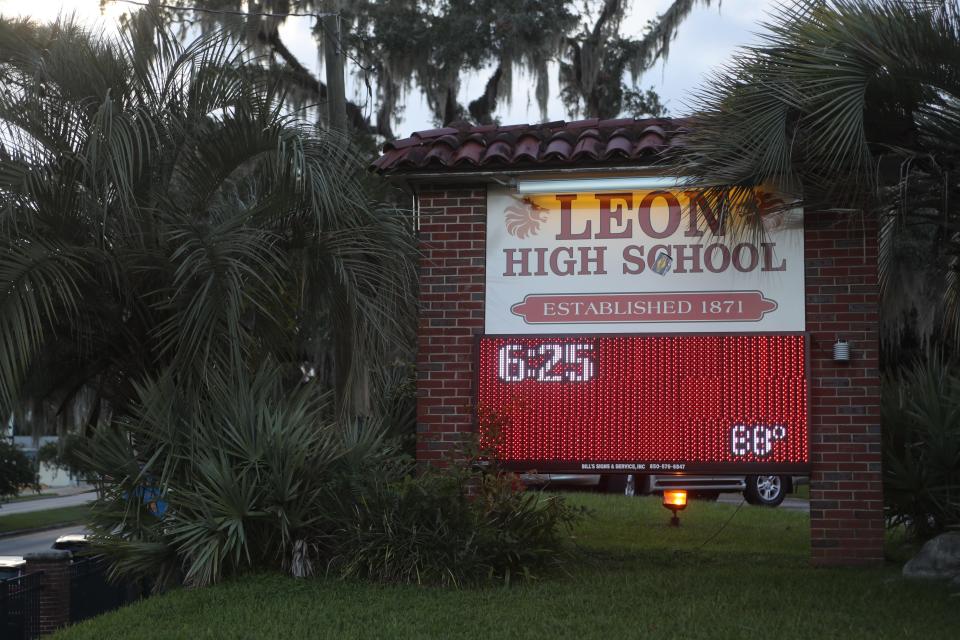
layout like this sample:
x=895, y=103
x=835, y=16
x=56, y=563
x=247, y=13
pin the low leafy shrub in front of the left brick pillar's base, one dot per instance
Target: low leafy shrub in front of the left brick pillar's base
x=453, y=527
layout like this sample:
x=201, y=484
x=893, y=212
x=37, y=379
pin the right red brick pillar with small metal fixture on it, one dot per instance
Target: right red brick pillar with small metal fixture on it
x=846, y=493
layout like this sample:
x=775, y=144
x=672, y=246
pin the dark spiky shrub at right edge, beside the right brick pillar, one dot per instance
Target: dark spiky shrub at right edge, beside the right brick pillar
x=921, y=446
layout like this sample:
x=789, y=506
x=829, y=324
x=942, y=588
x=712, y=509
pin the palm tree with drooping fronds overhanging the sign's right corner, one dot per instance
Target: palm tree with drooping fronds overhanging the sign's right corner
x=853, y=106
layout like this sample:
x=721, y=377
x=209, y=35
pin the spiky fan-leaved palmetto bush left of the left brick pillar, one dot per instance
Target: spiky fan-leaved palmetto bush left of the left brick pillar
x=239, y=473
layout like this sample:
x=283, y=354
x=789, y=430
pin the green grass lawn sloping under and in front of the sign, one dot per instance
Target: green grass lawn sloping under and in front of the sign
x=635, y=578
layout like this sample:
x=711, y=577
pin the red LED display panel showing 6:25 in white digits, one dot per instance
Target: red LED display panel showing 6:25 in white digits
x=720, y=404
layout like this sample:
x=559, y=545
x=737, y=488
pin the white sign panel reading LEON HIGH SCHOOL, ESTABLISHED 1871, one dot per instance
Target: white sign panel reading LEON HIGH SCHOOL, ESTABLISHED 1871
x=652, y=261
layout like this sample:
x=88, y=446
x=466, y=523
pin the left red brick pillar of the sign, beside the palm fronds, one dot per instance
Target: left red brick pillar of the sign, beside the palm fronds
x=451, y=299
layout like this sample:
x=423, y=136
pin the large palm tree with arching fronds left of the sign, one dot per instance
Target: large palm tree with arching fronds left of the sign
x=161, y=210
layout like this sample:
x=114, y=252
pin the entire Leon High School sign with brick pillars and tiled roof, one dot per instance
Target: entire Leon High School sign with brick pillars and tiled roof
x=614, y=322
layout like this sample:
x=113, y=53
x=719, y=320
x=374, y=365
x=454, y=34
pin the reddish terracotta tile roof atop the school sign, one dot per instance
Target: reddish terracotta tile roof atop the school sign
x=462, y=146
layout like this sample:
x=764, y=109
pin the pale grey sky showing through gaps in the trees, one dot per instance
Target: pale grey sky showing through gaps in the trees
x=706, y=40
